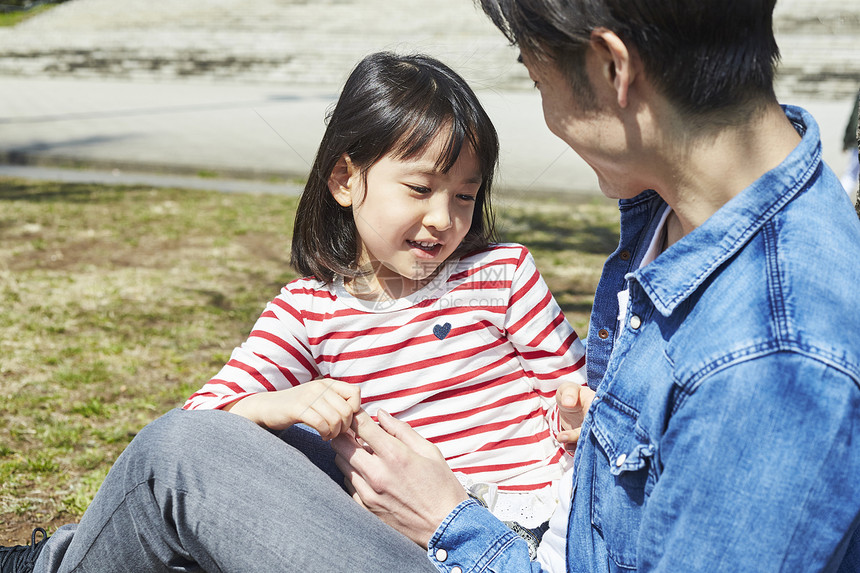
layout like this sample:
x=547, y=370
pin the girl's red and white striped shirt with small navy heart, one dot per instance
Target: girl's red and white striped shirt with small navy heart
x=471, y=361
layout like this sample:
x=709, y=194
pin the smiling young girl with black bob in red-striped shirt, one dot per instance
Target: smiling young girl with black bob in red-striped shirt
x=406, y=304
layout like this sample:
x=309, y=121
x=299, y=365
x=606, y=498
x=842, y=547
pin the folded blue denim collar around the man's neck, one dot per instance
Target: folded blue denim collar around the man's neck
x=681, y=269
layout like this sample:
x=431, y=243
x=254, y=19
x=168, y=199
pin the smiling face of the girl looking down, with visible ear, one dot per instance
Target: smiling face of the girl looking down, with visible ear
x=410, y=217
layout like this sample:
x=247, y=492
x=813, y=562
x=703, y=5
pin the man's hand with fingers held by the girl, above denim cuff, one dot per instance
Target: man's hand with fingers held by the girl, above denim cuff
x=398, y=475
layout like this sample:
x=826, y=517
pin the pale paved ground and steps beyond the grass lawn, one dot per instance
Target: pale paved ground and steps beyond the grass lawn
x=241, y=88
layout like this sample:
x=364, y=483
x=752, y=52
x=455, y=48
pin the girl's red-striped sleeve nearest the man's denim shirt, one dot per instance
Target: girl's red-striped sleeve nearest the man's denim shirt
x=549, y=349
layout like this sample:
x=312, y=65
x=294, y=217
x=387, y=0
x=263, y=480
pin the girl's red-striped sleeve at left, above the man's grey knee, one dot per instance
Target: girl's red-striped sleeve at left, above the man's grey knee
x=275, y=356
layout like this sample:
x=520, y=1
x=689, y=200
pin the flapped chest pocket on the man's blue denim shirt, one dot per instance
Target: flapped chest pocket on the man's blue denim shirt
x=623, y=478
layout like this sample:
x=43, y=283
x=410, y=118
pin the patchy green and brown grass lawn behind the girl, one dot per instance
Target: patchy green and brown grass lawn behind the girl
x=116, y=303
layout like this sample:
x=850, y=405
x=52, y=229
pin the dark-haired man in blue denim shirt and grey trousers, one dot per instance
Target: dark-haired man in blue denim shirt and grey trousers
x=722, y=346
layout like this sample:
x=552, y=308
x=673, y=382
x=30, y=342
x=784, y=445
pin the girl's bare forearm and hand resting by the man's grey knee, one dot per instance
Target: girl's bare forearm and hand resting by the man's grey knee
x=326, y=405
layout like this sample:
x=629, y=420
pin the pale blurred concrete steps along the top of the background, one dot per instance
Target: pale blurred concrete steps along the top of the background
x=316, y=42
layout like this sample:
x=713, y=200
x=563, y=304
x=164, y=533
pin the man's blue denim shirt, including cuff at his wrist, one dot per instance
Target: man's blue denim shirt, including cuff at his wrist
x=725, y=434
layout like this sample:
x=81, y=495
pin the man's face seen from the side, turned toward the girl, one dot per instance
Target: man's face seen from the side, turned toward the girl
x=593, y=128
